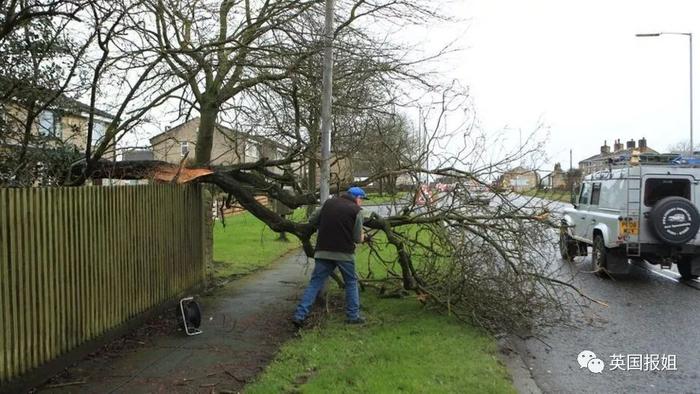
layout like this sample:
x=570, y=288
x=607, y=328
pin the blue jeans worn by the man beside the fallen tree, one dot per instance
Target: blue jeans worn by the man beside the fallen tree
x=322, y=271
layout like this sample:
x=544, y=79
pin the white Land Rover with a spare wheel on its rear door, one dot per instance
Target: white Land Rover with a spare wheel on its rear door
x=643, y=210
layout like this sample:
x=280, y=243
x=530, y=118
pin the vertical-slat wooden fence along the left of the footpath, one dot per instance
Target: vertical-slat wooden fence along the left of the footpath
x=76, y=262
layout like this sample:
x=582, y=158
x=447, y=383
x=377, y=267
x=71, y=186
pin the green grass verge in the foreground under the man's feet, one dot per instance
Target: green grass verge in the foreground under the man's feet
x=403, y=347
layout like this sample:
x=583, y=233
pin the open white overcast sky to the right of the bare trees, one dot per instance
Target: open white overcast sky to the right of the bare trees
x=577, y=67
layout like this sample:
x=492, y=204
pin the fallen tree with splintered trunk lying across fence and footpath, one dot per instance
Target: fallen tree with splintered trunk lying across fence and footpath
x=490, y=263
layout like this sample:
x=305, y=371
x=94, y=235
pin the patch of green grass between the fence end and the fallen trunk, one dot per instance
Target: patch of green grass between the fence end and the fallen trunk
x=245, y=245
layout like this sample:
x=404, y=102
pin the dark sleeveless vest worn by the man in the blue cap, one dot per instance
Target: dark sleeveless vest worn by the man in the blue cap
x=336, y=224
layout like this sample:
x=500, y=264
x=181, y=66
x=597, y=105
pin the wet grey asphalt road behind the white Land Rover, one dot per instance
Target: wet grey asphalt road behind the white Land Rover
x=649, y=314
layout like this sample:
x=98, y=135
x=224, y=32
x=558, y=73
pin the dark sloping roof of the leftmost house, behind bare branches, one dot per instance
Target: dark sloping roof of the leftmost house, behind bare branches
x=61, y=102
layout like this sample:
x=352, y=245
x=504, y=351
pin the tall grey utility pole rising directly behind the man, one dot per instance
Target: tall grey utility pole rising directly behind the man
x=326, y=102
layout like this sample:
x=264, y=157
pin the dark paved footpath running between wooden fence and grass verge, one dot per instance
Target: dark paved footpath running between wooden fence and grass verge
x=244, y=323
